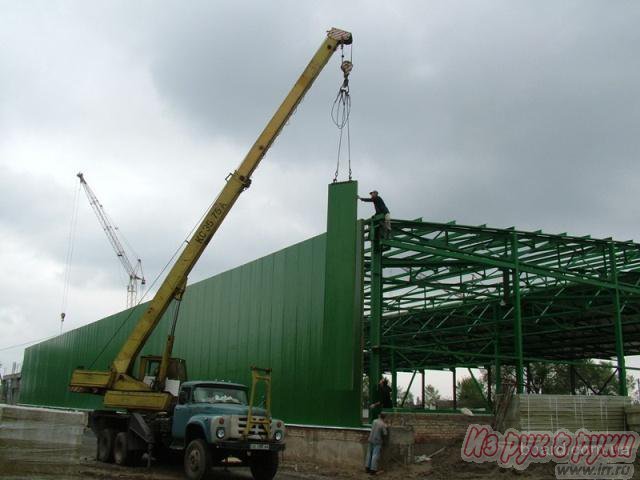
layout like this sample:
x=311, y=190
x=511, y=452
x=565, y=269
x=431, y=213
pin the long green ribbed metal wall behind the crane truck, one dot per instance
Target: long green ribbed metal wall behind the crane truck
x=269, y=312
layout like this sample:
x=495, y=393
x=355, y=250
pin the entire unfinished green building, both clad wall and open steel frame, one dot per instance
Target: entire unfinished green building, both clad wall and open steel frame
x=423, y=296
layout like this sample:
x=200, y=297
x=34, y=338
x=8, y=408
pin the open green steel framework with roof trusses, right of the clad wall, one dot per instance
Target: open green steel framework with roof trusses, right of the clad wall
x=441, y=296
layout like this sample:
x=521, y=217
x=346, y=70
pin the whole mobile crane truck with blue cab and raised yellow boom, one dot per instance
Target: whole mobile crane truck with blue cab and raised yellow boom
x=157, y=408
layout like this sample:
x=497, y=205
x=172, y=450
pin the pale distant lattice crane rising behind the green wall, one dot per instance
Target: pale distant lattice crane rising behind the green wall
x=135, y=273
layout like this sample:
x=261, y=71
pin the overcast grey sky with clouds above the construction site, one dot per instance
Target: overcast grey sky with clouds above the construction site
x=499, y=112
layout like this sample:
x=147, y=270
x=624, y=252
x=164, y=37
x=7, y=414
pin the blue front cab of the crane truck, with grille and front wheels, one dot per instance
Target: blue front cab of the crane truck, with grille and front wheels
x=210, y=424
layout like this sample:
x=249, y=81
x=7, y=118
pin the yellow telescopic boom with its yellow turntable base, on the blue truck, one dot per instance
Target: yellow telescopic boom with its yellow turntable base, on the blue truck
x=119, y=387
